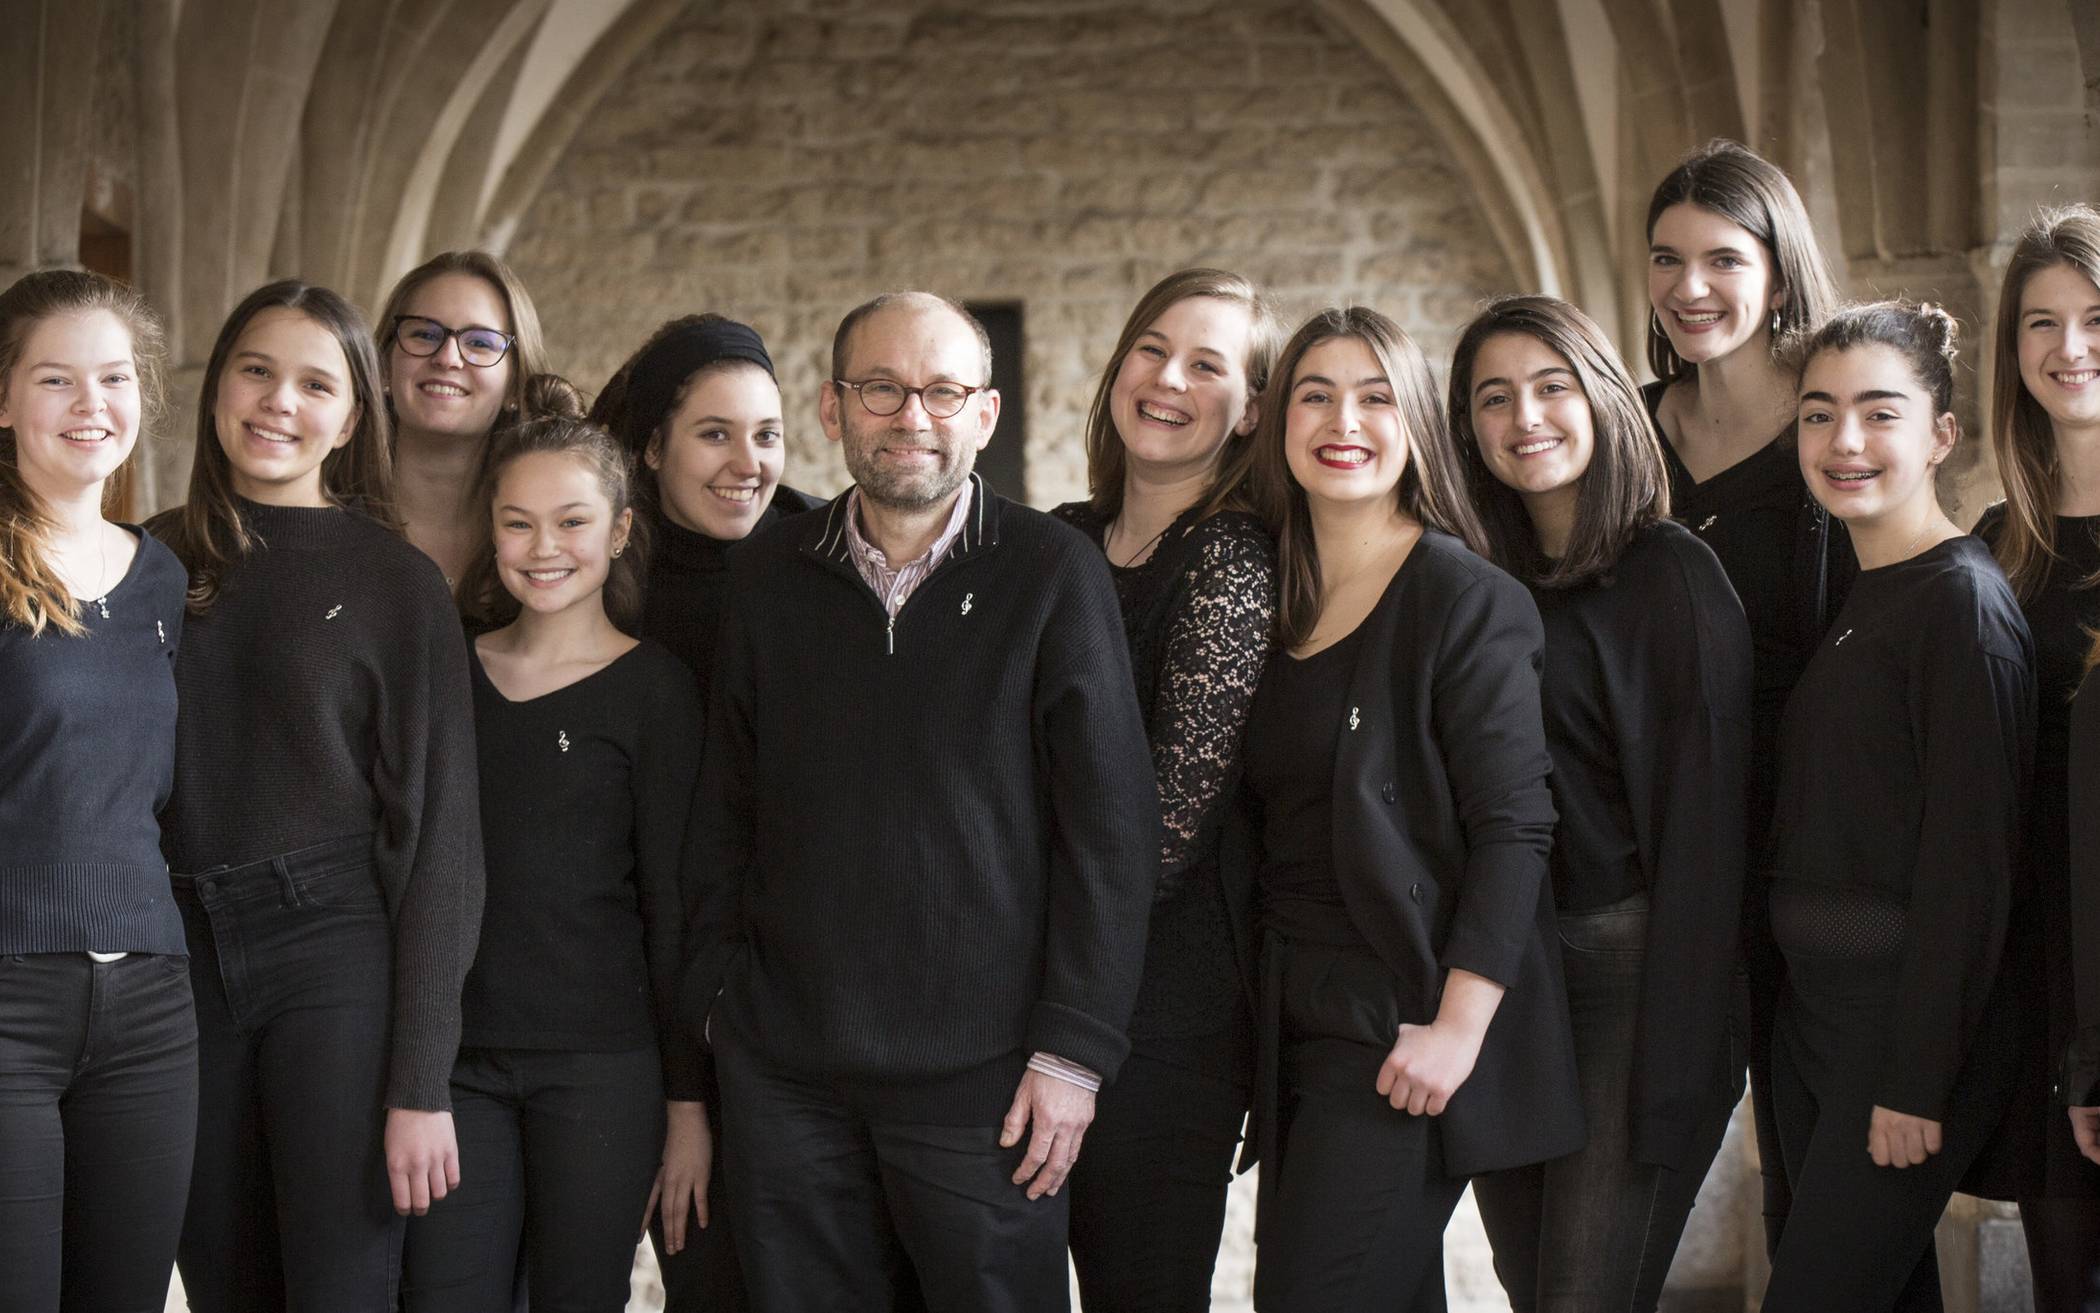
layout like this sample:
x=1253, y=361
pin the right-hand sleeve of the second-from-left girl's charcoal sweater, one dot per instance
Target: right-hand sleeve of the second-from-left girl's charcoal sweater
x=429, y=846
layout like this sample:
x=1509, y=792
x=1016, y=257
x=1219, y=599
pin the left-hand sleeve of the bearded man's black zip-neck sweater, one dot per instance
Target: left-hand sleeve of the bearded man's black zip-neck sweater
x=719, y=829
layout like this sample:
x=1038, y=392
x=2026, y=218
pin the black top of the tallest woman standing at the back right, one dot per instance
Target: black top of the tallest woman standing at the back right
x=1790, y=564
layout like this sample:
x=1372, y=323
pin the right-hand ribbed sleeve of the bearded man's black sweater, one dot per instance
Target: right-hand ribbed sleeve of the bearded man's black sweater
x=1104, y=825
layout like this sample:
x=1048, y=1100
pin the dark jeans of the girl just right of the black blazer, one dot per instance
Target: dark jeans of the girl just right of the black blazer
x=1597, y=1230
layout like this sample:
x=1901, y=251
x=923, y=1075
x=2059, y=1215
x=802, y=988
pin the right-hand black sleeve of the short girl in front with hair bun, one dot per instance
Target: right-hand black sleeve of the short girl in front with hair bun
x=665, y=776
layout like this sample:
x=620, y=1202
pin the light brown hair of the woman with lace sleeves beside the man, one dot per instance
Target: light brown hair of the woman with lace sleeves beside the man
x=1106, y=446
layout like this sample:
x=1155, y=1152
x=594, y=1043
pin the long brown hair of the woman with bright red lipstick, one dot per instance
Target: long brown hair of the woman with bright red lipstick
x=1431, y=491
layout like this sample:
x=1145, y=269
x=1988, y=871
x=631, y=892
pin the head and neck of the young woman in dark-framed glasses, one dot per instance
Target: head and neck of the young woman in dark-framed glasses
x=461, y=341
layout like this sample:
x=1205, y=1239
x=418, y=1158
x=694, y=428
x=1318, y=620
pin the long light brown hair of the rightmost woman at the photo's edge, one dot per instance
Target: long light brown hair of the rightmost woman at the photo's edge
x=2021, y=432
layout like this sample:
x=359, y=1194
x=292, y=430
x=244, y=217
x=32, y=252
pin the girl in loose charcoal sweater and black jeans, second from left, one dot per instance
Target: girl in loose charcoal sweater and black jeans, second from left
x=324, y=829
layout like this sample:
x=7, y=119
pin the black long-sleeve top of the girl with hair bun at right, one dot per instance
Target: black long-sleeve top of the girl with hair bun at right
x=1904, y=766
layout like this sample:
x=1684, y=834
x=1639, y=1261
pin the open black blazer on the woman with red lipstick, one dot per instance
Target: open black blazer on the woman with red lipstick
x=1442, y=831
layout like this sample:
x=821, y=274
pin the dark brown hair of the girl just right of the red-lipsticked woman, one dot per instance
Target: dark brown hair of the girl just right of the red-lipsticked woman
x=1626, y=486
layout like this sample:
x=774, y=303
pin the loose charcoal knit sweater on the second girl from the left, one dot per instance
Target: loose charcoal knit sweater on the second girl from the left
x=324, y=696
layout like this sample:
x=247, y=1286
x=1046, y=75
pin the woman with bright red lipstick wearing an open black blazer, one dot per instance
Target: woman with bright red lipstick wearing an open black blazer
x=1395, y=822
